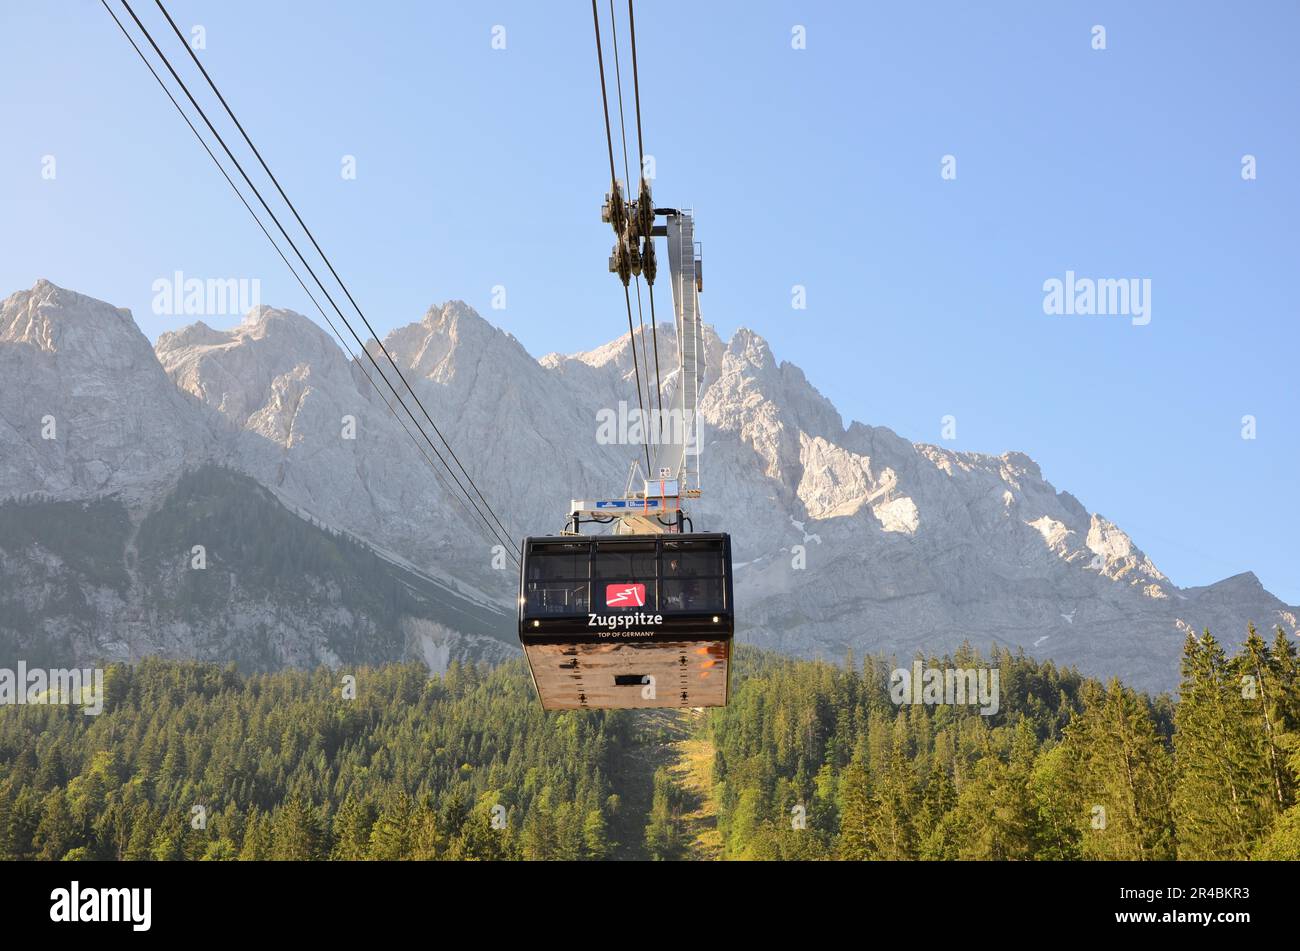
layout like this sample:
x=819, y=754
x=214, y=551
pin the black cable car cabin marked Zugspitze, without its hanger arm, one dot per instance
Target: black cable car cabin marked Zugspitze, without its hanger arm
x=629, y=622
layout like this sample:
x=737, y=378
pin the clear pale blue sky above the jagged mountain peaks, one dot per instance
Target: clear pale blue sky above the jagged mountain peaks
x=820, y=167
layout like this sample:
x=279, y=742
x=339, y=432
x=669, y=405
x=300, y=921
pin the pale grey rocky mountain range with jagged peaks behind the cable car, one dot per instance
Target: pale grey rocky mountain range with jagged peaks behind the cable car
x=844, y=537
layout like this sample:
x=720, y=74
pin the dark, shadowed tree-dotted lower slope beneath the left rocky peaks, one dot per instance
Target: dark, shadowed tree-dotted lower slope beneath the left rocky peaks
x=220, y=570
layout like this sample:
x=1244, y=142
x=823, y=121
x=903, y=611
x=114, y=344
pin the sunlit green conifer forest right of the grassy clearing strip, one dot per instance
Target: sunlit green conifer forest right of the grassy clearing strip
x=1069, y=768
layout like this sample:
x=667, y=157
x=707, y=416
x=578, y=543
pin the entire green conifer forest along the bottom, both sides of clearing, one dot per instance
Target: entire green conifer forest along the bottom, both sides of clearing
x=812, y=761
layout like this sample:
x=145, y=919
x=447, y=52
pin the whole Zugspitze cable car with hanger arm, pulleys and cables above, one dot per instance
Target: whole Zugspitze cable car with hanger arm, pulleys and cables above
x=644, y=616
